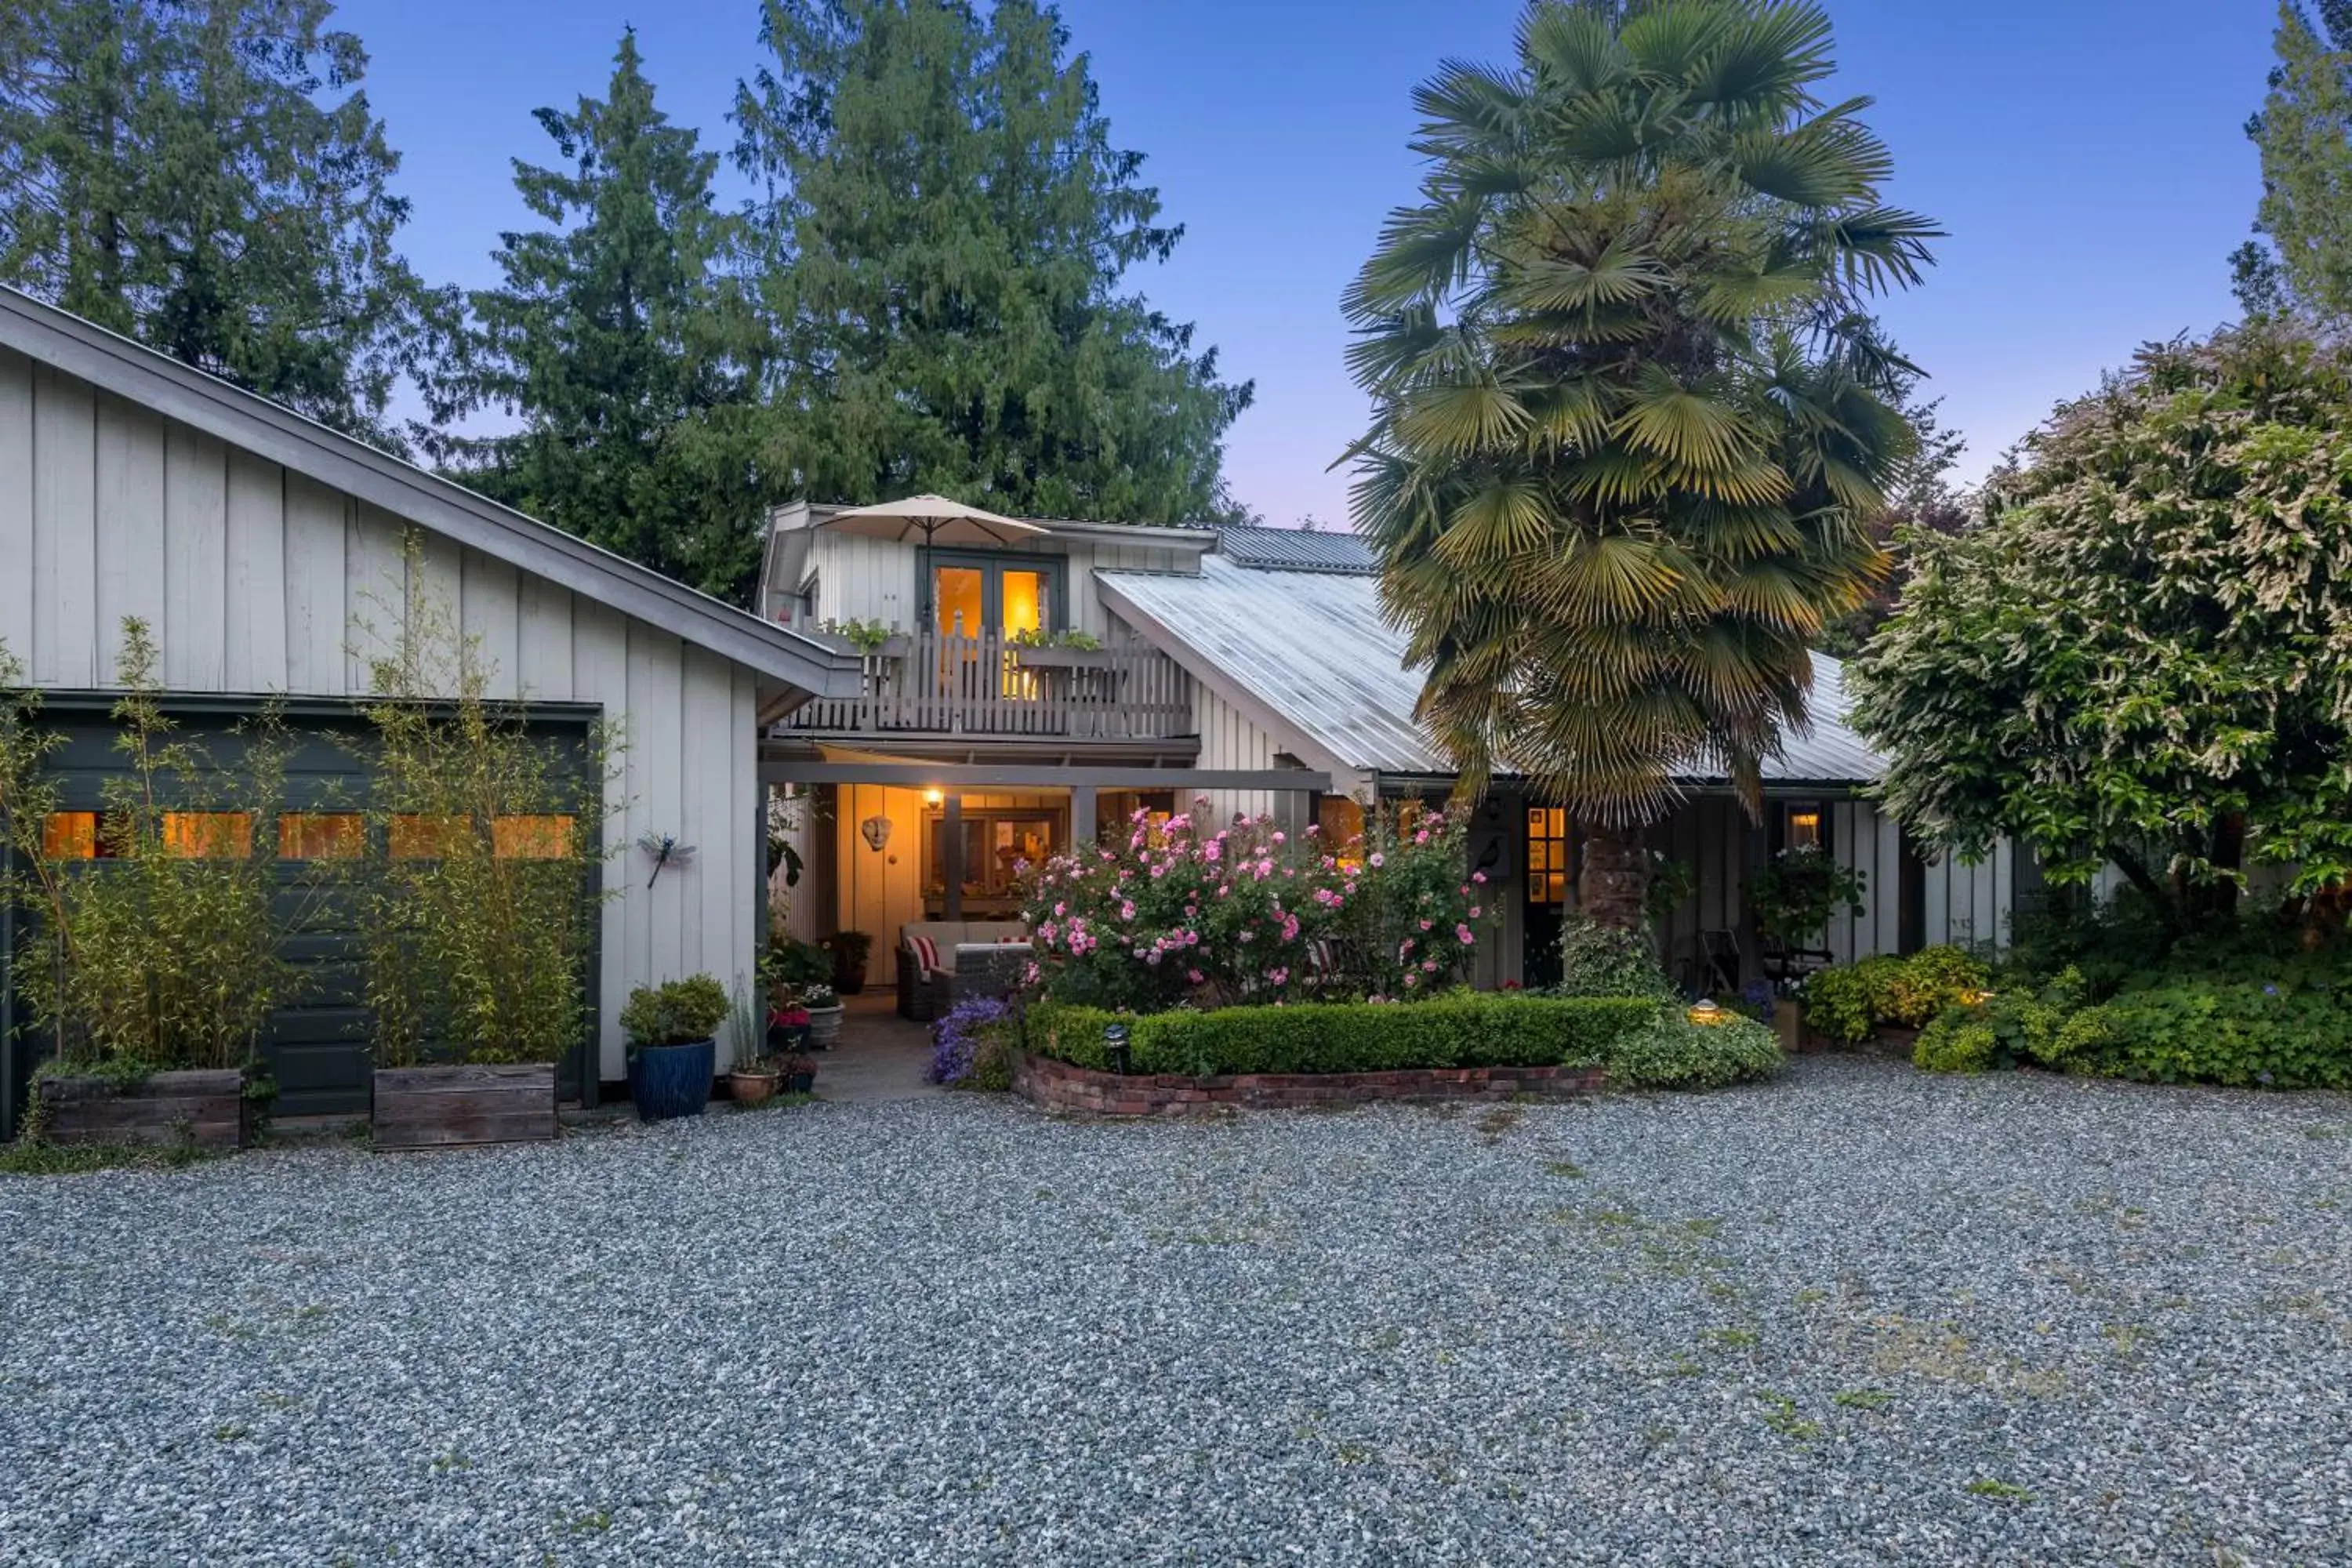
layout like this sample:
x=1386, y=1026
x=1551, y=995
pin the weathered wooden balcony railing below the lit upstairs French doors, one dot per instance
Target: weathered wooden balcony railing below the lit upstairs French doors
x=994, y=688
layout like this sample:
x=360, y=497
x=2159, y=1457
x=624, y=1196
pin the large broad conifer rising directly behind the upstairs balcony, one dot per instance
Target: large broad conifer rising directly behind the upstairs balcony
x=944, y=236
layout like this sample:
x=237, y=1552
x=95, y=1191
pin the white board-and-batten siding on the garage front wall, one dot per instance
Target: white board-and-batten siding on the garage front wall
x=265, y=582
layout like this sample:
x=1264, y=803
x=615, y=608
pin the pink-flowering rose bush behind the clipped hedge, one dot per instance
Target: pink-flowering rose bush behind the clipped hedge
x=1172, y=916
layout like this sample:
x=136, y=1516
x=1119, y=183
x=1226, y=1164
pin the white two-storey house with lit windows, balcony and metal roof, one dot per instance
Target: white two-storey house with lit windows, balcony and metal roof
x=1250, y=666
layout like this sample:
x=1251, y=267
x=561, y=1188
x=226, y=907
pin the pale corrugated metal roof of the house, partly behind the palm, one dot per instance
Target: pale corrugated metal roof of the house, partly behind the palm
x=1314, y=650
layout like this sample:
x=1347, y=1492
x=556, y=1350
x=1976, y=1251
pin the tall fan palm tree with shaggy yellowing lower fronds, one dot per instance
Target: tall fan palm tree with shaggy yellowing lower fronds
x=1629, y=406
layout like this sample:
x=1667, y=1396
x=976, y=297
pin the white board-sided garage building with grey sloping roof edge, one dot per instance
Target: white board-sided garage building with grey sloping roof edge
x=253, y=542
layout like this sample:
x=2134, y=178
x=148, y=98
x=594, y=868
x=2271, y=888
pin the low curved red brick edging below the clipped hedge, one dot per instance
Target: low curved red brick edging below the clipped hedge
x=1057, y=1085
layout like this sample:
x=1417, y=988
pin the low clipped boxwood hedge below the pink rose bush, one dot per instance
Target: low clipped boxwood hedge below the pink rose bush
x=1457, y=1031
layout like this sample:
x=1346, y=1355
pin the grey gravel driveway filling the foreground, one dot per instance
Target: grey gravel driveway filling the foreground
x=1859, y=1315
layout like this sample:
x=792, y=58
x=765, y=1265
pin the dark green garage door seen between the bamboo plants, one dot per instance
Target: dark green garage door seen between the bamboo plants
x=316, y=1047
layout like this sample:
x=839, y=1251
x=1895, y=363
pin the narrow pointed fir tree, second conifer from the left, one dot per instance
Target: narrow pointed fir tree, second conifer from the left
x=622, y=344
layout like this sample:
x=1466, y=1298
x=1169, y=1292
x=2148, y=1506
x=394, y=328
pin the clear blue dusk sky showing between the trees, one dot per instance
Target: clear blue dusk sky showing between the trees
x=2085, y=154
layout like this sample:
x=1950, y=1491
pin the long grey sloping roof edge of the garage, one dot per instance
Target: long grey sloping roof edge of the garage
x=255, y=424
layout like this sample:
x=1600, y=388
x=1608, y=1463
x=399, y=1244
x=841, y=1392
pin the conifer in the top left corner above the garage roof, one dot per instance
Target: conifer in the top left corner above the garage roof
x=208, y=177
